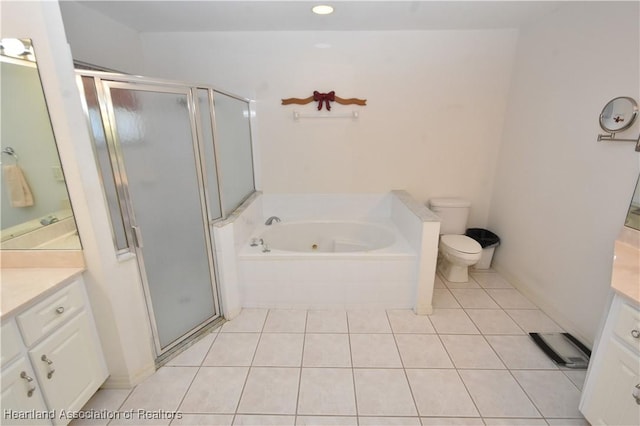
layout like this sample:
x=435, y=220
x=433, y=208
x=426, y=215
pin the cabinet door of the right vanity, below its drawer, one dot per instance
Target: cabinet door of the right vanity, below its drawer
x=612, y=402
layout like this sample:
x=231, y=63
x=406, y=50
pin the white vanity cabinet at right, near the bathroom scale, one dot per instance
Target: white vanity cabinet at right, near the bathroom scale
x=611, y=394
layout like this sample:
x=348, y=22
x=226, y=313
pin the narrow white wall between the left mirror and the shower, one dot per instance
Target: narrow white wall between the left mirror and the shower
x=114, y=288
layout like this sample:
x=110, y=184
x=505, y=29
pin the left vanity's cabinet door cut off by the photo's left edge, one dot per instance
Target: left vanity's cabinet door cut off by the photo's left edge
x=21, y=395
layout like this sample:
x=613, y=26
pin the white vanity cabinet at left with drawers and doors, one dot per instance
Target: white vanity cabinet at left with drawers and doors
x=53, y=360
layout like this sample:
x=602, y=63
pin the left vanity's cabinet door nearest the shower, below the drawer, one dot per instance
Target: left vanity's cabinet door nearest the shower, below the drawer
x=68, y=365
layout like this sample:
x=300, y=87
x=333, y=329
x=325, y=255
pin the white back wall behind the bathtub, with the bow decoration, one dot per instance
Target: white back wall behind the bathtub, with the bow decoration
x=435, y=103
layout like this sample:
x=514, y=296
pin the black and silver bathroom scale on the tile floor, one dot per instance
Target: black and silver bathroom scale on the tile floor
x=563, y=349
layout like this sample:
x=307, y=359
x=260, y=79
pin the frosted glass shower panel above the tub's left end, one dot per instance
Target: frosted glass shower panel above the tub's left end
x=234, y=148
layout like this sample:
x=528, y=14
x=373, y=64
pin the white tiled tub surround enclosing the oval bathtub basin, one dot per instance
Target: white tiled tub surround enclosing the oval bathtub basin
x=397, y=276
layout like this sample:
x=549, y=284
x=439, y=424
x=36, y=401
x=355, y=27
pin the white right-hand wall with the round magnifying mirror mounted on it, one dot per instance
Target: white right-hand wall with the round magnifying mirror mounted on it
x=560, y=197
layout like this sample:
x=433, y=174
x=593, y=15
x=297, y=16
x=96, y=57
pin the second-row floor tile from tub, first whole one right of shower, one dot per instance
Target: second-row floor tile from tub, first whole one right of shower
x=232, y=349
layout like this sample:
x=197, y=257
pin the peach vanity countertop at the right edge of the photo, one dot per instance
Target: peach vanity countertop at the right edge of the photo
x=625, y=278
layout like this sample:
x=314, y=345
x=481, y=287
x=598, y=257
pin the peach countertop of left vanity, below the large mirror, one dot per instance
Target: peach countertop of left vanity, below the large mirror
x=20, y=286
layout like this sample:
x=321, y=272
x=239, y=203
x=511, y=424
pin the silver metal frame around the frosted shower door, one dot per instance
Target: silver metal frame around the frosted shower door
x=103, y=81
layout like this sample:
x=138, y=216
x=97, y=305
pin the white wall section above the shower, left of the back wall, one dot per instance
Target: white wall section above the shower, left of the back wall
x=99, y=40
